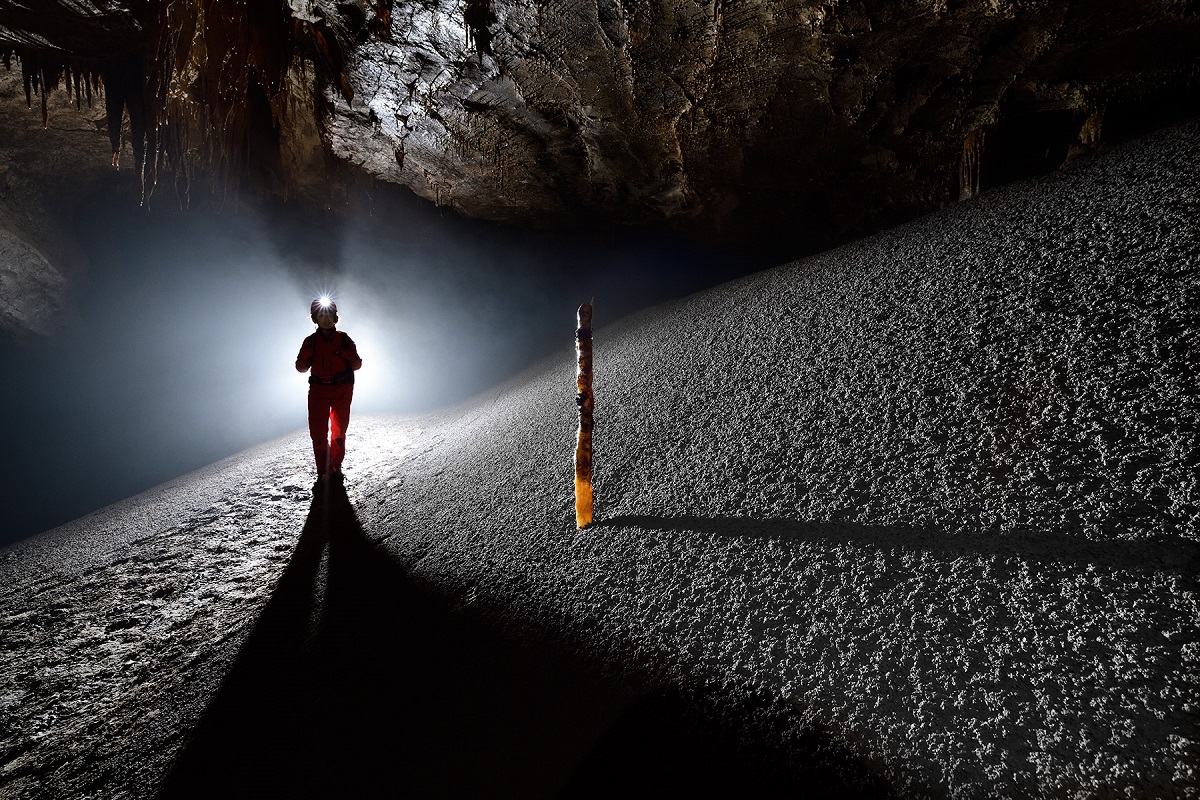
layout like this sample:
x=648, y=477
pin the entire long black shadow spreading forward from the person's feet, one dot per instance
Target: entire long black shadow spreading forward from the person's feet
x=356, y=683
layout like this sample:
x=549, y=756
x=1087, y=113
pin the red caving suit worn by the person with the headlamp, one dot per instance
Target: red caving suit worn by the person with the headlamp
x=333, y=358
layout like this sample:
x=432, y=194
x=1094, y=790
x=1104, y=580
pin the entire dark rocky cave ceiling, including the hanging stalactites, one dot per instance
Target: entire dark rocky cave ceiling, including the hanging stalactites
x=727, y=119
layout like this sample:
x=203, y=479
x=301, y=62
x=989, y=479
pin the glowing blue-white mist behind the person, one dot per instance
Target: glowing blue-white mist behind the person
x=179, y=344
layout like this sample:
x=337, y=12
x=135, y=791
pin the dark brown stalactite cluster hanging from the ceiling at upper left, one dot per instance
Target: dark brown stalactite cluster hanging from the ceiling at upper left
x=202, y=82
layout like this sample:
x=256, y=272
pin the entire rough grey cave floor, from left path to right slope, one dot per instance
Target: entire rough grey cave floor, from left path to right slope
x=920, y=512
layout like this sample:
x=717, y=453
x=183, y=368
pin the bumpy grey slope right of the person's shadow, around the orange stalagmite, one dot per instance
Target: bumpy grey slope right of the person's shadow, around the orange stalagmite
x=938, y=490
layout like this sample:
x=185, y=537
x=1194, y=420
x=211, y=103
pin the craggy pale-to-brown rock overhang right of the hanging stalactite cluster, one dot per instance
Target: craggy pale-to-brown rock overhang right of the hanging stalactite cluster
x=742, y=119
